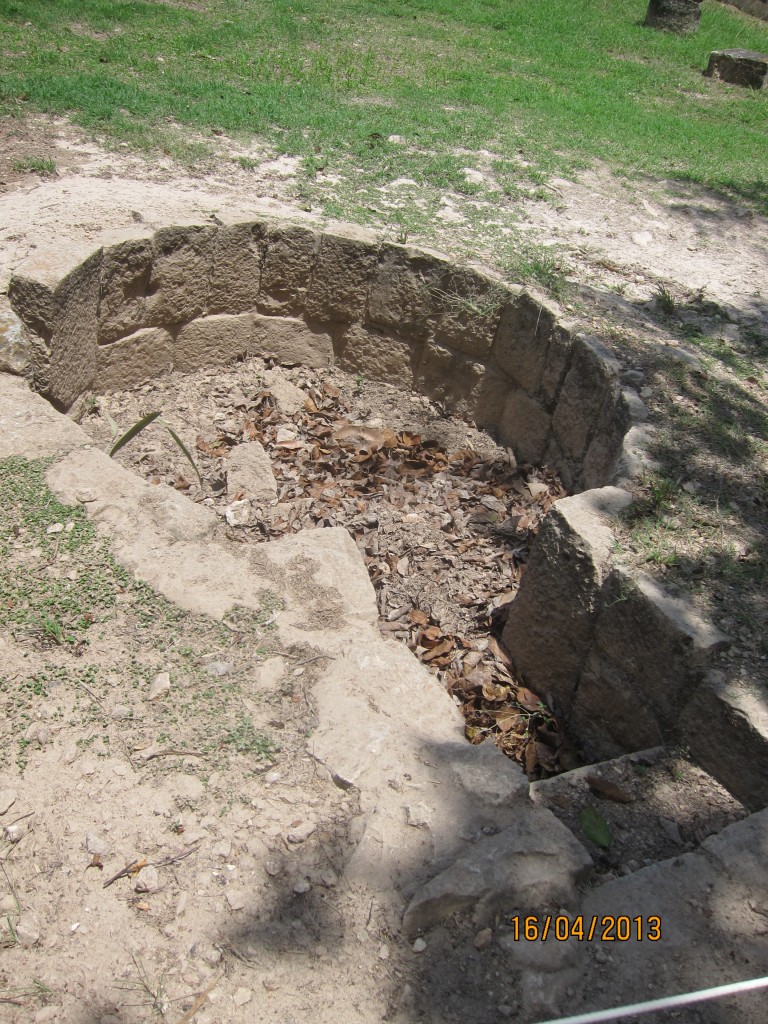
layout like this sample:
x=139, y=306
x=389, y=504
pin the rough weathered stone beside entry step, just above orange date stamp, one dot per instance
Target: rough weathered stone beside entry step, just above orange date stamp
x=535, y=864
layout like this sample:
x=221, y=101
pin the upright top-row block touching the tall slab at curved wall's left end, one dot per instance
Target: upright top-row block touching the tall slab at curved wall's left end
x=126, y=271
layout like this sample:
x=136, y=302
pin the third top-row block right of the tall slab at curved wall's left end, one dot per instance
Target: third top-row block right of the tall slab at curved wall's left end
x=236, y=276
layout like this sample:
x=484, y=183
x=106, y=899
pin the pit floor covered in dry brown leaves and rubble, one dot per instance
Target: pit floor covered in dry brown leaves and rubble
x=443, y=517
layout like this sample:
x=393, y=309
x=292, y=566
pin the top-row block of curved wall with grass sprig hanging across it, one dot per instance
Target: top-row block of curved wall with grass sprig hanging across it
x=471, y=308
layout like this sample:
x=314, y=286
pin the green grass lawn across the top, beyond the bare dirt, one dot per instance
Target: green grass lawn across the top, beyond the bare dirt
x=558, y=86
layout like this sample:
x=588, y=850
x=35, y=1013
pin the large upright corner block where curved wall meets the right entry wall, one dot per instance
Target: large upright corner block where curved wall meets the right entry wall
x=550, y=626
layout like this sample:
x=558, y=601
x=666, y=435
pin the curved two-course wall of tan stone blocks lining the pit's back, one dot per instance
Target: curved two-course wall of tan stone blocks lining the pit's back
x=192, y=297
